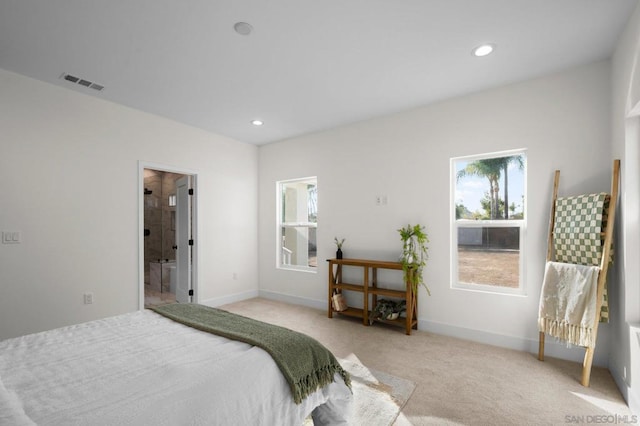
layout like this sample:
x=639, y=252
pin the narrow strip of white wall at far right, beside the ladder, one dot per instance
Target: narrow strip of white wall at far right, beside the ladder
x=624, y=361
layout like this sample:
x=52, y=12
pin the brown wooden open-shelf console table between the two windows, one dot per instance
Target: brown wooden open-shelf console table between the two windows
x=369, y=286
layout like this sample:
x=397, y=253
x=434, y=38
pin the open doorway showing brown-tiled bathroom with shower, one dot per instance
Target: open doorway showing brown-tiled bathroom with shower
x=167, y=266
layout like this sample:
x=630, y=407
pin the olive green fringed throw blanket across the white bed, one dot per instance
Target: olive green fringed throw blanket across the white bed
x=305, y=363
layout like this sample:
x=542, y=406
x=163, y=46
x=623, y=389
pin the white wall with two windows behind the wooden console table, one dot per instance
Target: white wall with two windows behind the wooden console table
x=563, y=122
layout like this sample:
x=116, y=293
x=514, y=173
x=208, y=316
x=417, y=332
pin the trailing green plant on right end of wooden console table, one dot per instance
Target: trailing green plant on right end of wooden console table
x=414, y=255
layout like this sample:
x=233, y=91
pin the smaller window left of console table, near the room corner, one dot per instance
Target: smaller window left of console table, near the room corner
x=297, y=224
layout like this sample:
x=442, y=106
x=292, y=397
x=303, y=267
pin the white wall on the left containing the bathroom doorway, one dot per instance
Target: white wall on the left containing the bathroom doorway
x=69, y=183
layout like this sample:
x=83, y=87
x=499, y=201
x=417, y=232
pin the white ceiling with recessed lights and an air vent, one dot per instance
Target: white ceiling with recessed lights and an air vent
x=307, y=65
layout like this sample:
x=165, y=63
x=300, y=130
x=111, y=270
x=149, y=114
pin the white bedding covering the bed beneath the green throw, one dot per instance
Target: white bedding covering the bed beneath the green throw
x=144, y=369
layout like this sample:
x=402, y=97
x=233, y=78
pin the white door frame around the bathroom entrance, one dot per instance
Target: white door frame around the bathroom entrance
x=194, y=224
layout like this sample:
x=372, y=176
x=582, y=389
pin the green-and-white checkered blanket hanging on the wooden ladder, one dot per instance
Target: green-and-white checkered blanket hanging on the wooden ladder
x=579, y=233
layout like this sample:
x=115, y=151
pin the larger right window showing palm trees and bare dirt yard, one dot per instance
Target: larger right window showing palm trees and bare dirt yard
x=488, y=221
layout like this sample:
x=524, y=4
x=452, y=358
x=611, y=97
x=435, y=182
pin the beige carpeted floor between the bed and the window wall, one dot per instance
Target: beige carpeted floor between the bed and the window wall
x=457, y=381
